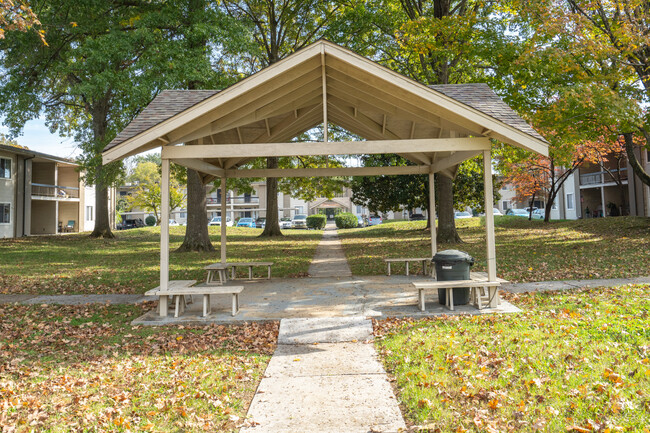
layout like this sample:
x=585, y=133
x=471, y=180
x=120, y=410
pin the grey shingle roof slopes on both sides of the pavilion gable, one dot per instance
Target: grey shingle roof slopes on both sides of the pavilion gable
x=172, y=102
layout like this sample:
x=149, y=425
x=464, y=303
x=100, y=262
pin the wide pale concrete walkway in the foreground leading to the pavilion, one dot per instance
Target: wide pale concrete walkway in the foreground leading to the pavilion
x=324, y=376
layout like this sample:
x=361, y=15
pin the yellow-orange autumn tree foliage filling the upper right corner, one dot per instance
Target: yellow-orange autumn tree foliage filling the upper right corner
x=608, y=47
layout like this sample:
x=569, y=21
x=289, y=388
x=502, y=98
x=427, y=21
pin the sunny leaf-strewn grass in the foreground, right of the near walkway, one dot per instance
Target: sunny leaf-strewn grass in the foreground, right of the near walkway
x=576, y=361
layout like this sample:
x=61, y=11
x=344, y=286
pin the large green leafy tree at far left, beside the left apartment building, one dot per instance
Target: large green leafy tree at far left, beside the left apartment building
x=96, y=74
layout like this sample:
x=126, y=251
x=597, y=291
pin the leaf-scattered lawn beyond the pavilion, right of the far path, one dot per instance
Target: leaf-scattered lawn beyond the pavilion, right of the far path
x=526, y=250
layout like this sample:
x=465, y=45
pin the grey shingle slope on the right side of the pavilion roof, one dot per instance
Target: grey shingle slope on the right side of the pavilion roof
x=482, y=98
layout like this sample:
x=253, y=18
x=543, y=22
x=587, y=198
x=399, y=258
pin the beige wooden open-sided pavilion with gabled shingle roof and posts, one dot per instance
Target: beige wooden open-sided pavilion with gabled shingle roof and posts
x=218, y=132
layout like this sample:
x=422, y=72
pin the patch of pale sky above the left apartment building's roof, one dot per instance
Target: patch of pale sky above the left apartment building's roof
x=36, y=136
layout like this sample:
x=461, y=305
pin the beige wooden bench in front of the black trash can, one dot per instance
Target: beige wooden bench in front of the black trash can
x=478, y=282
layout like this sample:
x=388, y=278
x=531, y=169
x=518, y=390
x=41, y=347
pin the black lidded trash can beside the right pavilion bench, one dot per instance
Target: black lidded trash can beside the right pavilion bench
x=453, y=265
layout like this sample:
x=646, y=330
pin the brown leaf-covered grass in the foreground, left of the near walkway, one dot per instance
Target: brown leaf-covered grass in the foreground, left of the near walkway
x=83, y=368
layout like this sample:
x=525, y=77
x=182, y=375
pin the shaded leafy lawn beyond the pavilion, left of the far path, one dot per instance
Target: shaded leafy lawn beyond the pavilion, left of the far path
x=130, y=263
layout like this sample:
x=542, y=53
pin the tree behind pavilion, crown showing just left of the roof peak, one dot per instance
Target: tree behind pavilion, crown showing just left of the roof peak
x=279, y=29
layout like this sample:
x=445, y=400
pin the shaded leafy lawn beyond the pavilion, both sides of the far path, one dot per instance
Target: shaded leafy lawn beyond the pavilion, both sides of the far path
x=526, y=251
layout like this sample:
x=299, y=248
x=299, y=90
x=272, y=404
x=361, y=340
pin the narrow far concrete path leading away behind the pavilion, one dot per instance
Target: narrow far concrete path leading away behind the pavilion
x=329, y=259
